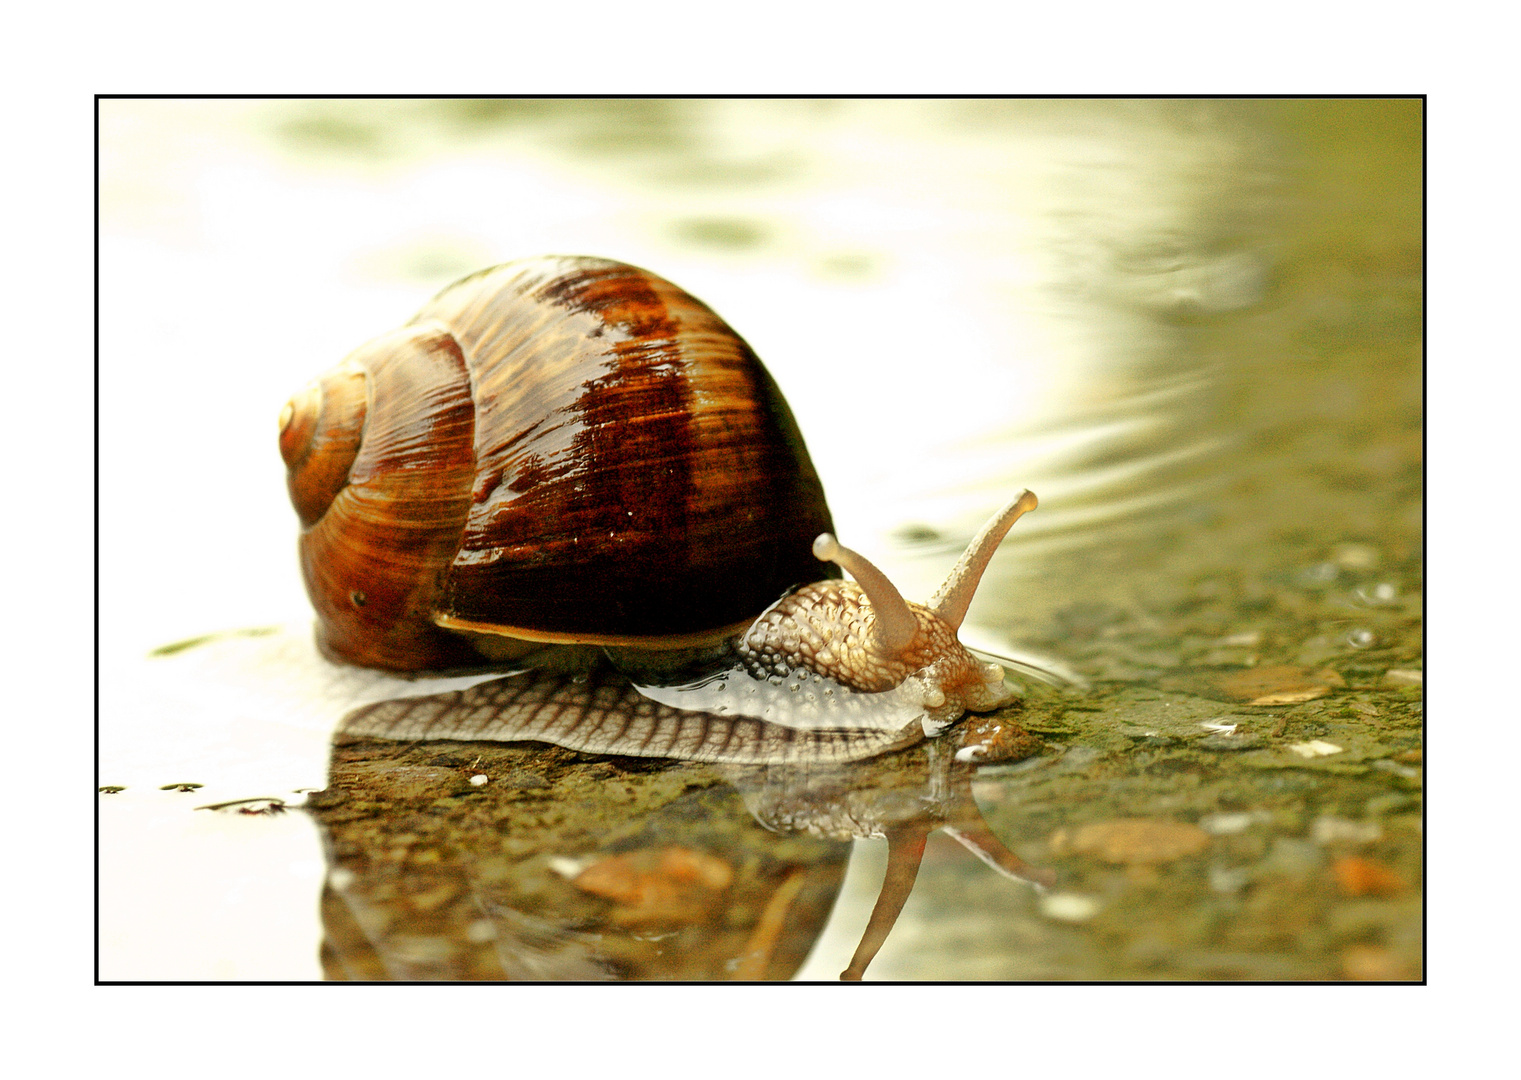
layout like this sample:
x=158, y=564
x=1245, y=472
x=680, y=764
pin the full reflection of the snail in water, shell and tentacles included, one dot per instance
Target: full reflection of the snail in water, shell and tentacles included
x=449, y=865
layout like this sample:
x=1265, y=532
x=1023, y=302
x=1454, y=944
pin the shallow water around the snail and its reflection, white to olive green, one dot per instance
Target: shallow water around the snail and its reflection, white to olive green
x=1192, y=328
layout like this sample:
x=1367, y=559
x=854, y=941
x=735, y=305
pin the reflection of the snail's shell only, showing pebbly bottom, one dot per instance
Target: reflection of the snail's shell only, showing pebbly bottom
x=560, y=868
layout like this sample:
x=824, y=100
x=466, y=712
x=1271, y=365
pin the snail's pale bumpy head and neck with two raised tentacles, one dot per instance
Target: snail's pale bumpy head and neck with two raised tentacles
x=865, y=635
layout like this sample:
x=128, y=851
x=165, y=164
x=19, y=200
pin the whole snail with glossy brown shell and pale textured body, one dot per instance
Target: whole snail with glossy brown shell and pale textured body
x=571, y=454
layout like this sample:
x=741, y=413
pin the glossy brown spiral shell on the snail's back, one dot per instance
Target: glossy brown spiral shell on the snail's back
x=559, y=449
